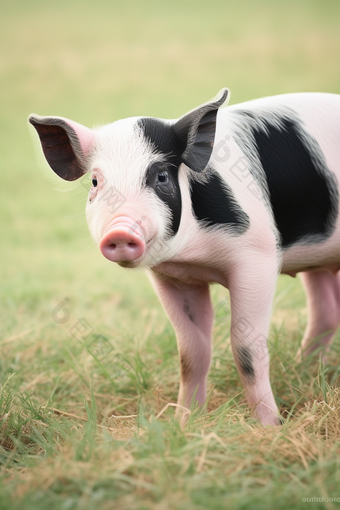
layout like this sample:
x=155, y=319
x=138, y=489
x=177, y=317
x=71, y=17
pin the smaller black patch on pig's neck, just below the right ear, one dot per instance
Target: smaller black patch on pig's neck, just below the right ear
x=213, y=204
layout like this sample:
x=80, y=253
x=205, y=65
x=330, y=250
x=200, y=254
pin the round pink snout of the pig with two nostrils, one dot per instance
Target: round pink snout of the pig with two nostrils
x=122, y=242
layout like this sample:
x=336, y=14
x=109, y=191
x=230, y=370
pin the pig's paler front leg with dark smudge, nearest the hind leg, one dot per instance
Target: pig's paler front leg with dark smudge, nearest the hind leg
x=252, y=288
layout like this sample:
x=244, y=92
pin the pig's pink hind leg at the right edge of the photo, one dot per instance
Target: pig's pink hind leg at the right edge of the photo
x=323, y=303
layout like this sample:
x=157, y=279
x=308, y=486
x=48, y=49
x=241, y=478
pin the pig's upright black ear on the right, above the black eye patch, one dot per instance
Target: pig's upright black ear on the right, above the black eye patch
x=196, y=130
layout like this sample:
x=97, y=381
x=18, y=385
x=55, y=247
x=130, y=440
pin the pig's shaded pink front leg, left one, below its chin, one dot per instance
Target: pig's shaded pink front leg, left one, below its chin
x=190, y=311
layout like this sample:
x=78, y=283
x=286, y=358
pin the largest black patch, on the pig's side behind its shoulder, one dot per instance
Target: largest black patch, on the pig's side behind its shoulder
x=302, y=190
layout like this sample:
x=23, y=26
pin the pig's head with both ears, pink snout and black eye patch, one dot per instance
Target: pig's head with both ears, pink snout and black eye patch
x=134, y=207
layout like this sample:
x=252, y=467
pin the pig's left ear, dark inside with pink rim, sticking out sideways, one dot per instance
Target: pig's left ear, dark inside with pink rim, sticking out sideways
x=66, y=145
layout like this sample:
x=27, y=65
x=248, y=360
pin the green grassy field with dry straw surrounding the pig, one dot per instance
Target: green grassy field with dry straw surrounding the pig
x=77, y=433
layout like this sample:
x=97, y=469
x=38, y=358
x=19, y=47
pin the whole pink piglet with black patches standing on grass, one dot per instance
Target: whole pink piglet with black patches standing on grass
x=246, y=255
